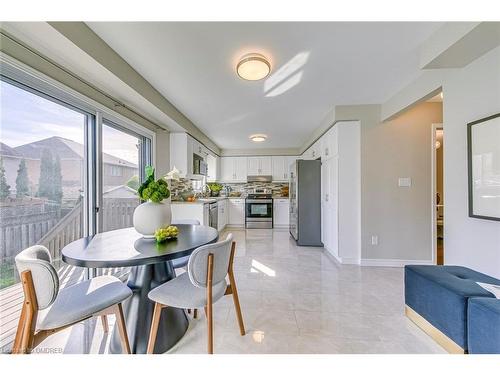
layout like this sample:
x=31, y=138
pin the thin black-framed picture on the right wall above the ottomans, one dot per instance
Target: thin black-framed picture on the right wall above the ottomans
x=483, y=153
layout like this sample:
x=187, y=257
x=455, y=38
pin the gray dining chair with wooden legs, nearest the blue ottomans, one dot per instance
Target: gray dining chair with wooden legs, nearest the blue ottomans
x=201, y=286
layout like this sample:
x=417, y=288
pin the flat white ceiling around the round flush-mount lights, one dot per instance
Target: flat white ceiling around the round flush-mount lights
x=315, y=66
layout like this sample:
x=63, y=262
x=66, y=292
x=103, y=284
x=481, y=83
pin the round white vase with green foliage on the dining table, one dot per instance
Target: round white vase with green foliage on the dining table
x=155, y=212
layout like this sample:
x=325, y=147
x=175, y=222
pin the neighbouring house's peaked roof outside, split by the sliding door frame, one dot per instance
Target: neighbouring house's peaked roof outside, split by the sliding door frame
x=65, y=149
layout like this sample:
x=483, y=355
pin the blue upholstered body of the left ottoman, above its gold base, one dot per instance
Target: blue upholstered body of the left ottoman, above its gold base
x=440, y=294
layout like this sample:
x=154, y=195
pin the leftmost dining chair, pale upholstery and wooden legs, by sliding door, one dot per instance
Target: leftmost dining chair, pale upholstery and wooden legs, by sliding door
x=47, y=310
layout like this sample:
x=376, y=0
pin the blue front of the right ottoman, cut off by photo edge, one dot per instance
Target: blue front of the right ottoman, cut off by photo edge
x=483, y=328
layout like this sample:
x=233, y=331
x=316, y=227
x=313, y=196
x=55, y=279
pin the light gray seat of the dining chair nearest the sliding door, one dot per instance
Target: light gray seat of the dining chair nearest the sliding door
x=82, y=300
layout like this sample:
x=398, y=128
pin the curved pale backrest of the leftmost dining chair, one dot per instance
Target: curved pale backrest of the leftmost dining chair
x=45, y=280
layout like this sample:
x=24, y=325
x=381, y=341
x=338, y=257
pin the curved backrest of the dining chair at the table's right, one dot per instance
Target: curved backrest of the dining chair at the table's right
x=198, y=262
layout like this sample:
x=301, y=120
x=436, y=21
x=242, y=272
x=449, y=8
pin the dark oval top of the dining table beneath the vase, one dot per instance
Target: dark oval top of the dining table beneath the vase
x=126, y=247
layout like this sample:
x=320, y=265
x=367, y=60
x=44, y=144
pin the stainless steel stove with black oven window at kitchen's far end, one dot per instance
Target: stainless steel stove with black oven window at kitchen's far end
x=259, y=209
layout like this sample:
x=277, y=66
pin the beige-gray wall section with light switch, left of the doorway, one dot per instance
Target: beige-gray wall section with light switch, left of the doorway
x=400, y=217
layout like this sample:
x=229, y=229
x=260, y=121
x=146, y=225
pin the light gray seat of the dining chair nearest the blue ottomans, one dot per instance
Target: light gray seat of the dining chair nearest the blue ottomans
x=181, y=293
